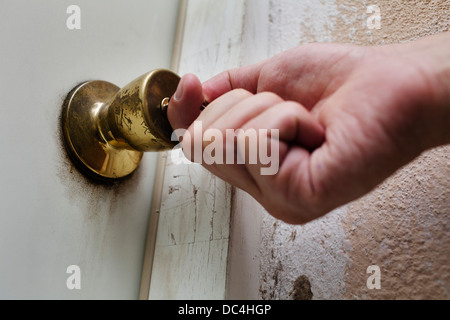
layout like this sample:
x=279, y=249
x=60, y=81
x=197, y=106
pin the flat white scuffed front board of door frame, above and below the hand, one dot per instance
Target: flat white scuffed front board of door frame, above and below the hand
x=191, y=252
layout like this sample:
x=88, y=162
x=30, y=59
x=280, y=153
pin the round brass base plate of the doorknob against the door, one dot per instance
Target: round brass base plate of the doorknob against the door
x=83, y=140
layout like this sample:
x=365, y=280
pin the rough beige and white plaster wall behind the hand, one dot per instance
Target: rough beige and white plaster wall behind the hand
x=404, y=225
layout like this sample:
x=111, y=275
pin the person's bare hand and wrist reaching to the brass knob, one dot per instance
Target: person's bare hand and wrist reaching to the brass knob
x=348, y=117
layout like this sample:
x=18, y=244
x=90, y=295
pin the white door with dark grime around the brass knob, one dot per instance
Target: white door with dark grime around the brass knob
x=51, y=217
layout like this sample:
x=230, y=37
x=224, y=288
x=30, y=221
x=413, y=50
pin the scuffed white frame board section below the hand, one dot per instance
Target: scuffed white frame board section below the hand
x=193, y=233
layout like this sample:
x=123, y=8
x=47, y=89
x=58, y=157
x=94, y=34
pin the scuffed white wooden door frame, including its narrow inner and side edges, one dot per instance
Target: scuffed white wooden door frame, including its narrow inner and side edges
x=228, y=222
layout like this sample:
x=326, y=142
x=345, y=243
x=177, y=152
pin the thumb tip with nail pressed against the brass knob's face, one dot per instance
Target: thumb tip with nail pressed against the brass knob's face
x=184, y=106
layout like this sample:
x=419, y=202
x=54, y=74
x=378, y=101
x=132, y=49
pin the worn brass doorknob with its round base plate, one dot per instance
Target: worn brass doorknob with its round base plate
x=106, y=129
